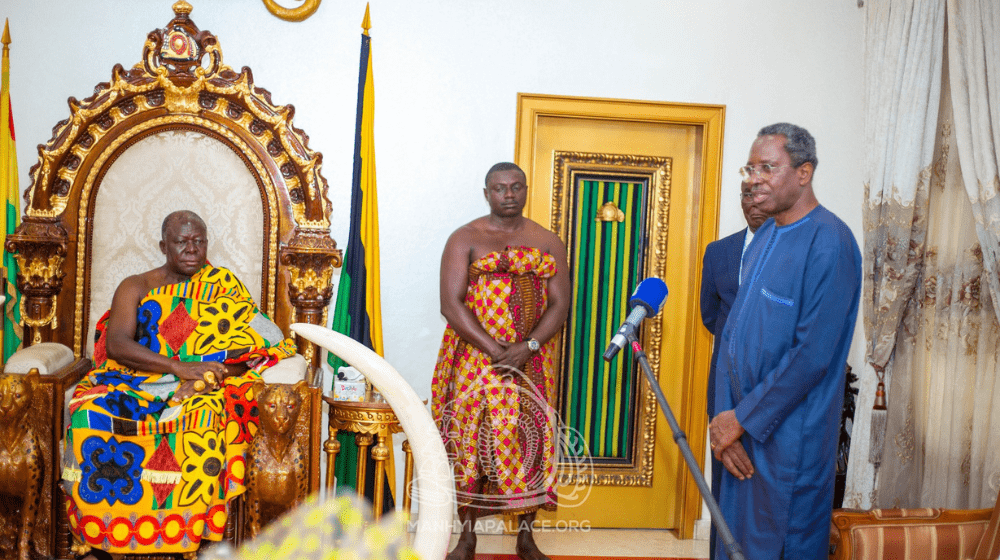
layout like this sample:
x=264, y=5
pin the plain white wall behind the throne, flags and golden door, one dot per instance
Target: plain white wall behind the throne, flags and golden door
x=447, y=76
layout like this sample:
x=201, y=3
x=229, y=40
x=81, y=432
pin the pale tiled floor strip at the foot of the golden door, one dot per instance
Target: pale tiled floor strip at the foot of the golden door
x=651, y=543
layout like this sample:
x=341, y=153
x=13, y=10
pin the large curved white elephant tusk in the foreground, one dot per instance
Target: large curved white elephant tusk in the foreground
x=436, y=497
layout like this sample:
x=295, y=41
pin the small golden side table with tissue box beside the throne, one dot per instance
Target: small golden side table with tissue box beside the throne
x=371, y=421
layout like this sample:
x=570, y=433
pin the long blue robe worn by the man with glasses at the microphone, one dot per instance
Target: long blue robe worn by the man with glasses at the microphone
x=781, y=367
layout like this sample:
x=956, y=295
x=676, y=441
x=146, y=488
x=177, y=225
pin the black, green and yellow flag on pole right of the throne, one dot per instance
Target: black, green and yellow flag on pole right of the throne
x=358, y=311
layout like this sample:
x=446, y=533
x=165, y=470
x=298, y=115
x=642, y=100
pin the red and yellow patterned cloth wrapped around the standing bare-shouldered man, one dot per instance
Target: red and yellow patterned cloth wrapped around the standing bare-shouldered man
x=498, y=425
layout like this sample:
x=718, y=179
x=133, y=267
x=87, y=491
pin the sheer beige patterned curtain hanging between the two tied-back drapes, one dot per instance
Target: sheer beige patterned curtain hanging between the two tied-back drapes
x=937, y=444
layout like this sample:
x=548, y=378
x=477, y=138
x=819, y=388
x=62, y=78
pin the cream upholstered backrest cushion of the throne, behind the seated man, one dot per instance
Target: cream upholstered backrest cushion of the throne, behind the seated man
x=164, y=172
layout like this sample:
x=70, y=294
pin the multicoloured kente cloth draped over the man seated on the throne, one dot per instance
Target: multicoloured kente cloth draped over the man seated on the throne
x=145, y=476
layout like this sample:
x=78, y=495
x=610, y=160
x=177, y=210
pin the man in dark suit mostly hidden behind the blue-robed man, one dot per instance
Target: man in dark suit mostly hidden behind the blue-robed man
x=720, y=280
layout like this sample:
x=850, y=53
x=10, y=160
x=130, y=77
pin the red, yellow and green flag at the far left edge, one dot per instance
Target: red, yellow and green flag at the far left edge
x=11, y=213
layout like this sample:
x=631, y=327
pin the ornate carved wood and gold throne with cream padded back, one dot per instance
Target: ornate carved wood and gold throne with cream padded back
x=179, y=130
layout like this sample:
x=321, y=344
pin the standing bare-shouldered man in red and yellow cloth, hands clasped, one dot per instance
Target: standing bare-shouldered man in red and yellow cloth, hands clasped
x=505, y=291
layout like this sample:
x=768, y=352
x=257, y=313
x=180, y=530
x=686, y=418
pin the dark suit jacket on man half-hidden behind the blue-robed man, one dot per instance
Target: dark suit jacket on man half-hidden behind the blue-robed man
x=719, y=283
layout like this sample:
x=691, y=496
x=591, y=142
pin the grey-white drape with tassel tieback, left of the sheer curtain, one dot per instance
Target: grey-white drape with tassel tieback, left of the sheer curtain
x=904, y=43
